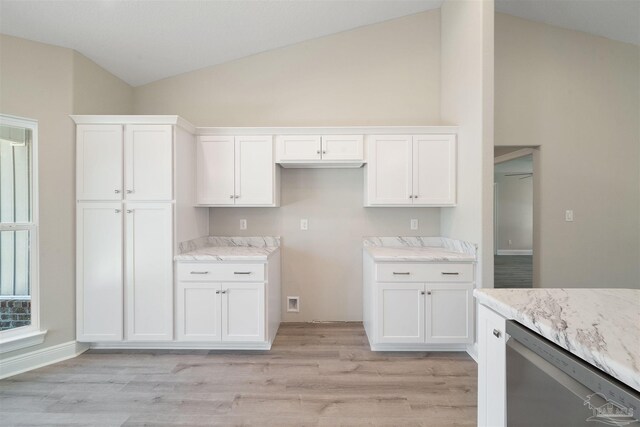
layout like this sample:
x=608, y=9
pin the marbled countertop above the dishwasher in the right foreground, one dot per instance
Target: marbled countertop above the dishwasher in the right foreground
x=600, y=326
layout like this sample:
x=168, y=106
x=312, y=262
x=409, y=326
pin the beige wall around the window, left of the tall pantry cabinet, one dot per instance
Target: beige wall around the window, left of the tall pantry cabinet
x=37, y=81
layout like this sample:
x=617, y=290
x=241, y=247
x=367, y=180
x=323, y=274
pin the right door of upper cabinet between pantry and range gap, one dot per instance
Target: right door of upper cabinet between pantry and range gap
x=254, y=170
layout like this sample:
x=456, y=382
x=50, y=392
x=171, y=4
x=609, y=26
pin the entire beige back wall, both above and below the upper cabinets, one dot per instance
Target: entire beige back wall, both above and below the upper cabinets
x=383, y=74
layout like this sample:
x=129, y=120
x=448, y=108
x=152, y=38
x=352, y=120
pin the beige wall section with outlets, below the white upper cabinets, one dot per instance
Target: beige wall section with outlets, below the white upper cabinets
x=323, y=265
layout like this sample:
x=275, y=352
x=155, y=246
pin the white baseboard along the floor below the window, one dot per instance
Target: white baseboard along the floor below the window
x=36, y=359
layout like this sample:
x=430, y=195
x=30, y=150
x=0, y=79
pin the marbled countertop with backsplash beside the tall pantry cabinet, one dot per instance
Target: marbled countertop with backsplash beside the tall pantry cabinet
x=213, y=248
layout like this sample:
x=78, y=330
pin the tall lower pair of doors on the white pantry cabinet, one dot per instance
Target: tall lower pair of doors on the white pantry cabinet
x=124, y=271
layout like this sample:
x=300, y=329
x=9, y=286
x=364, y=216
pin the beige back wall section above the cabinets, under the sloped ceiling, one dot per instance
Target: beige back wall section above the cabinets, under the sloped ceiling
x=382, y=74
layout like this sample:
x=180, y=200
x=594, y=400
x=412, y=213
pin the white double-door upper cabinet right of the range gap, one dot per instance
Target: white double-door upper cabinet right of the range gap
x=405, y=170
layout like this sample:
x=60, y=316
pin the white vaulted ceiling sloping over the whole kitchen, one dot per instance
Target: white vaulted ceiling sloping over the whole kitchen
x=144, y=41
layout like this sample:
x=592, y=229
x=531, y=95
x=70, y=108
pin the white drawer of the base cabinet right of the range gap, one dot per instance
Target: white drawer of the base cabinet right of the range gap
x=424, y=272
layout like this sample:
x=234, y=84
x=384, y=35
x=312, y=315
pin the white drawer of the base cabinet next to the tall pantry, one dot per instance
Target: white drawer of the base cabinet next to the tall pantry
x=209, y=272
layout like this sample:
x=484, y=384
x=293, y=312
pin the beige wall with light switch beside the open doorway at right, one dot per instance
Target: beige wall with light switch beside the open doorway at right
x=576, y=96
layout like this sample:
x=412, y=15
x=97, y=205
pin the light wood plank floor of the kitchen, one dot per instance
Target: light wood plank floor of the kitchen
x=315, y=375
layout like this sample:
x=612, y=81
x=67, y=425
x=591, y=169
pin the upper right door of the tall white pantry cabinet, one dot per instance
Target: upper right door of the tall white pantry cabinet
x=149, y=162
